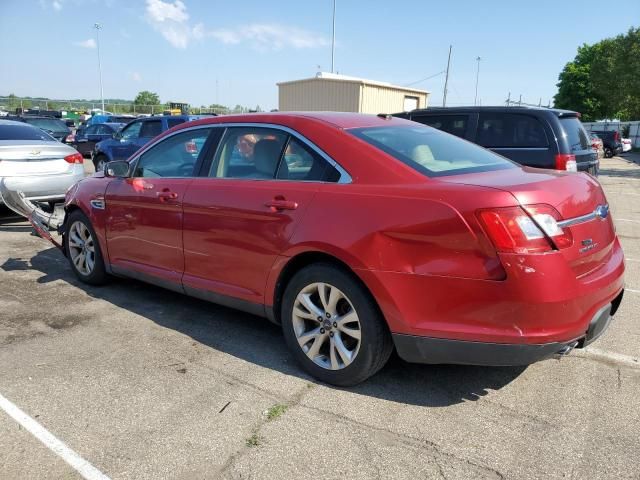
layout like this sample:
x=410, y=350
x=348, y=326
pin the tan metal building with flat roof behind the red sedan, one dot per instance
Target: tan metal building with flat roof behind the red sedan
x=339, y=93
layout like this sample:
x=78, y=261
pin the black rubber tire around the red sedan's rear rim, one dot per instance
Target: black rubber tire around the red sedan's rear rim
x=375, y=345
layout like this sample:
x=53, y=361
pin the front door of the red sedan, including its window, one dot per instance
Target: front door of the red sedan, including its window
x=144, y=211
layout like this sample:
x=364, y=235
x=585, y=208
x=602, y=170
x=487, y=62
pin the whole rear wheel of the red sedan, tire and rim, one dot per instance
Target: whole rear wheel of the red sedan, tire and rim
x=333, y=326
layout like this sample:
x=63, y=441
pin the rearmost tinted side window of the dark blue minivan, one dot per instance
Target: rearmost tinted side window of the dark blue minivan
x=510, y=130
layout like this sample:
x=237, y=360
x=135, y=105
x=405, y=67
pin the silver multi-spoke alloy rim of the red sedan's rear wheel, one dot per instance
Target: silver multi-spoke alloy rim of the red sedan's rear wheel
x=326, y=326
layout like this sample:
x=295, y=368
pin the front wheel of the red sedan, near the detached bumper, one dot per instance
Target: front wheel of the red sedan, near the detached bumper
x=83, y=250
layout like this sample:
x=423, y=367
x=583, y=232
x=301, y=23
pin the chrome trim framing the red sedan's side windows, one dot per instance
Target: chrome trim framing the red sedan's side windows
x=344, y=175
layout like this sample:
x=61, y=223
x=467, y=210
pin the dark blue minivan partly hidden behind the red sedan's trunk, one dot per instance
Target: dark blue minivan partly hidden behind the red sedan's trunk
x=535, y=137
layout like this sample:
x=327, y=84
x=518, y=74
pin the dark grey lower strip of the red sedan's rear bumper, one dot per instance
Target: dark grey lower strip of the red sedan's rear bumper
x=416, y=349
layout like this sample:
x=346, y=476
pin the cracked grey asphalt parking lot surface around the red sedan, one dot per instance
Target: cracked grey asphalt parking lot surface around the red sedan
x=145, y=383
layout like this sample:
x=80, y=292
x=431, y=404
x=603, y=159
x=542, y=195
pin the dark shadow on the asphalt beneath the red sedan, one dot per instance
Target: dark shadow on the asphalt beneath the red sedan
x=258, y=341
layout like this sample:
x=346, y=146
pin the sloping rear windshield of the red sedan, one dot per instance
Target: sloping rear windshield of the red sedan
x=430, y=151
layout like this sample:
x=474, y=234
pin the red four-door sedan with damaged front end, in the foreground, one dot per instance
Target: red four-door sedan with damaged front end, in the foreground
x=358, y=234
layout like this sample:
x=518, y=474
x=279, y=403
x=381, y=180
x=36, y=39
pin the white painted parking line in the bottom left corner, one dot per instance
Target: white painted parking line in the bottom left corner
x=83, y=467
